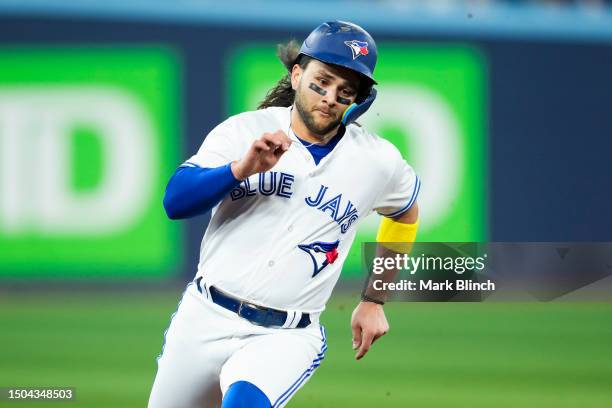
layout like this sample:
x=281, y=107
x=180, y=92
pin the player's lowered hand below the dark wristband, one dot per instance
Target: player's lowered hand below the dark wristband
x=368, y=324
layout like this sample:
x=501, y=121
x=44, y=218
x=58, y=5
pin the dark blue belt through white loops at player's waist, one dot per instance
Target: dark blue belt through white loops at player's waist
x=258, y=315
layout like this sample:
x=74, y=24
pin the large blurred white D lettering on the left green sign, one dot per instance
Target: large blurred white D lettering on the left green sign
x=35, y=170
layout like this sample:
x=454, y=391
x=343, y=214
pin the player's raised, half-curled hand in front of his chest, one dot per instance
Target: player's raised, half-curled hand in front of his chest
x=263, y=154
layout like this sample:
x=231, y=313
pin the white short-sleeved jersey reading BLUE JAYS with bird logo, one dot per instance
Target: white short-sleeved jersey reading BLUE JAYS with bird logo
x=280, y=238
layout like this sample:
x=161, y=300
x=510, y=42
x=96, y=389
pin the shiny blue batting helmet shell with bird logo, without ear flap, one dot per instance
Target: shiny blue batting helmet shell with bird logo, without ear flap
x=344, y=44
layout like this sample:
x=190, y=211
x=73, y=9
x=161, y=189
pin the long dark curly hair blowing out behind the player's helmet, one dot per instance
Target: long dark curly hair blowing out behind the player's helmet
x=283, y=94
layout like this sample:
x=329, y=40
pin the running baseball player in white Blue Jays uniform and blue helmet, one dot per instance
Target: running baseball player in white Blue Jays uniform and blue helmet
x=287, y=185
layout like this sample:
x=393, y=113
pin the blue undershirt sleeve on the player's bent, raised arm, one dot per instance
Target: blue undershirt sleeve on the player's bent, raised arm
x=193, y=191
